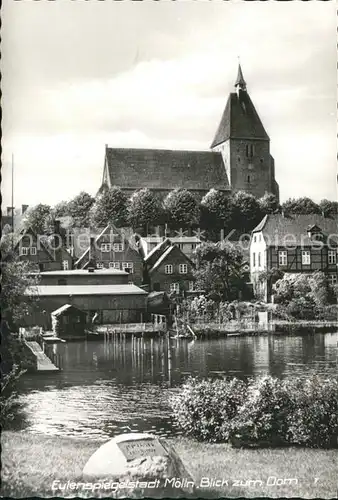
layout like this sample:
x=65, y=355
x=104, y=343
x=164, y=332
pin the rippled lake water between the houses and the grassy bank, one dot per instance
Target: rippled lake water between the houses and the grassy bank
x=107, y=388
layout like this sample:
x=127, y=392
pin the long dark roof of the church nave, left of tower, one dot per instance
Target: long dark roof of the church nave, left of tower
x=165, y=169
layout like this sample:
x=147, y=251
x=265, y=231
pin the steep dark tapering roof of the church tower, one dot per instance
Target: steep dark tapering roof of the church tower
x=240, y=120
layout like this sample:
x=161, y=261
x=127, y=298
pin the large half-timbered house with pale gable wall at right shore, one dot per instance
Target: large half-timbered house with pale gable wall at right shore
x=293, y=243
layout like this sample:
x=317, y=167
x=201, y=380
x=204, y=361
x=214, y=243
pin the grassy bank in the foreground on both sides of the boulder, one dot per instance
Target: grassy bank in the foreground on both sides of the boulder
x=30, y=463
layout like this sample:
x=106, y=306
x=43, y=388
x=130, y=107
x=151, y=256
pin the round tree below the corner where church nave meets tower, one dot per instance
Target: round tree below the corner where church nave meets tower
x=216, y=210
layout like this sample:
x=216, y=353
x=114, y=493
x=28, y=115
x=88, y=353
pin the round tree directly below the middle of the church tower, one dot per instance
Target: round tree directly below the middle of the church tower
x=246, y=211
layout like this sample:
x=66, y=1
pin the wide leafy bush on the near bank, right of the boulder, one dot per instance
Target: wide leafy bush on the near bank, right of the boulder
x=264, y=411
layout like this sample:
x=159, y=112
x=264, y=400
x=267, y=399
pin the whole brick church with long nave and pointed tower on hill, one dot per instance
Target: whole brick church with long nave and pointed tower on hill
x=239, y=158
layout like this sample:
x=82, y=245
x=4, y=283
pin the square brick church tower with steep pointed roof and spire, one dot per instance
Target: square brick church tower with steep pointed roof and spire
x=245, y=145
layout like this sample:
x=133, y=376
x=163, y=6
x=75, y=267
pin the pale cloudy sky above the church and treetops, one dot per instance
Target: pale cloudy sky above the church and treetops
x=78, y=75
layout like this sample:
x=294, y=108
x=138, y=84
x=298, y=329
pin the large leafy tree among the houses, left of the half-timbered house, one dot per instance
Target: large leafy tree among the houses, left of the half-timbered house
x=218, y=270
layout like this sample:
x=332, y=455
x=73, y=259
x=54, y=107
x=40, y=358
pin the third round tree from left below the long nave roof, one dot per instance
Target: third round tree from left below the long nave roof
x=181, y=208
